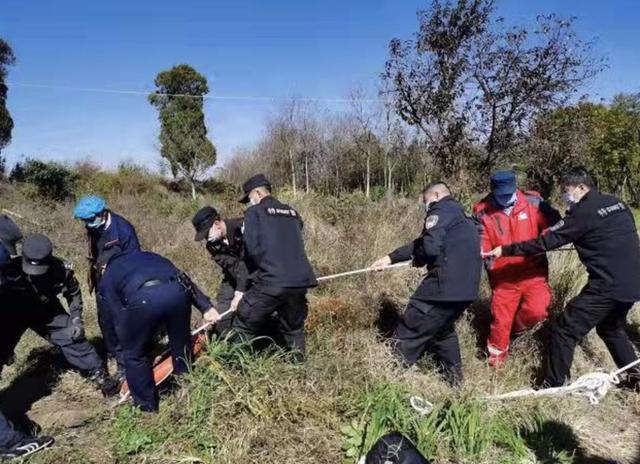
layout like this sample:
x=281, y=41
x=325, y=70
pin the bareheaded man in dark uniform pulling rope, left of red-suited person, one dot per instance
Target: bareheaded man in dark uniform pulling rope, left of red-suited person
x=450, y=249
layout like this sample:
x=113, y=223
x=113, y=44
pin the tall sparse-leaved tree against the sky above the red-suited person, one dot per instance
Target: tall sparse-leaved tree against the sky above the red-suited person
x=466, y=78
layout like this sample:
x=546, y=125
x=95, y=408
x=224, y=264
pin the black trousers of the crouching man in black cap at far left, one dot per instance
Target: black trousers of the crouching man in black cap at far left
x=51, y=322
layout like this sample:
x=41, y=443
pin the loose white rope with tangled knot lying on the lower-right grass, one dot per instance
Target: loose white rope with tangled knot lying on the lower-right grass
x=593, y=386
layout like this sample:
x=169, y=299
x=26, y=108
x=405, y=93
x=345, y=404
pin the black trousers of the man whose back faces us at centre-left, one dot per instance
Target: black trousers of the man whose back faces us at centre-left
x=260, y=302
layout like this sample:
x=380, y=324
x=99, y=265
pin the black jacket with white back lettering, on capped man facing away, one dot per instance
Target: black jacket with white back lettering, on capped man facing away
x=274, y=245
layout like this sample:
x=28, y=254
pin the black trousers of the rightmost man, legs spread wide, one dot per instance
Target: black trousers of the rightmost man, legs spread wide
x=587, y=311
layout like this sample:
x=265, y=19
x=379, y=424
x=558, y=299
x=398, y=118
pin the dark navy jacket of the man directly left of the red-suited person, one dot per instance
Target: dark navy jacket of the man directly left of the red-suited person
x=450, y=249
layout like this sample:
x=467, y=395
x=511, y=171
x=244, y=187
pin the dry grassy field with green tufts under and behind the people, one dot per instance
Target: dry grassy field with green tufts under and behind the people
x=235, y=407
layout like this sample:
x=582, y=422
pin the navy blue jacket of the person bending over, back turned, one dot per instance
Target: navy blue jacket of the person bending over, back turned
x=126, y=273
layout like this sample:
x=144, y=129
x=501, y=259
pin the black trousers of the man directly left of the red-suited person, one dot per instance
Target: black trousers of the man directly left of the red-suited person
x=429, y=327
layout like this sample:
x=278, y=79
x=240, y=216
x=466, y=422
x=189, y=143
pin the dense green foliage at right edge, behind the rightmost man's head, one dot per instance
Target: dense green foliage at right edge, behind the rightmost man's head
x=604, y=138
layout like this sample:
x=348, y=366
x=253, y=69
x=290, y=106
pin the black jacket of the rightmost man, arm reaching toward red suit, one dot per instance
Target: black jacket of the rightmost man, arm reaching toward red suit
x=604, y=233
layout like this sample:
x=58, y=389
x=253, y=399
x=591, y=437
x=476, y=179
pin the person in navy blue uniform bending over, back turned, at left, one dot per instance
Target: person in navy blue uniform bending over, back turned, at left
x=146, y=292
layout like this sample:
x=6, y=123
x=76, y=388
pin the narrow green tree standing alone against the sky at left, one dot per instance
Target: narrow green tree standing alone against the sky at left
x=183, y=133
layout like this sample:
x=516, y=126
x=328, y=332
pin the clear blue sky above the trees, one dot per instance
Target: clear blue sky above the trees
x=71, y=52
